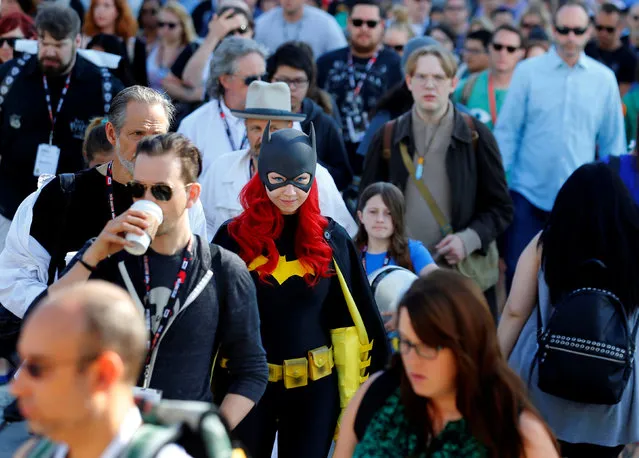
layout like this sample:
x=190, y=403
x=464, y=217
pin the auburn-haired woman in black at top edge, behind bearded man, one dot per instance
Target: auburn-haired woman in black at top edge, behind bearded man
x=114, y=17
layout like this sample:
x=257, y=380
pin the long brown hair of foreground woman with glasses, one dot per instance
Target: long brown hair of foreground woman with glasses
x=448, y=310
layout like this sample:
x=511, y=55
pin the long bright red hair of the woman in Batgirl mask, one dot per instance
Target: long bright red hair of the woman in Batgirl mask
x=261, y=223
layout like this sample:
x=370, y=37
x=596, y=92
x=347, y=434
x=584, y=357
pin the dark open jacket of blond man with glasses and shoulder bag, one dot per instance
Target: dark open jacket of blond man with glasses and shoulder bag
x=479, y=193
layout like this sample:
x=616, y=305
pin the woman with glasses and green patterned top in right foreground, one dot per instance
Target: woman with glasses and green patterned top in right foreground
x=448, y=393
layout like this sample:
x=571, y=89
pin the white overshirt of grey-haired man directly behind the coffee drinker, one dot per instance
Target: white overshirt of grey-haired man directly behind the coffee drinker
x=24, y=262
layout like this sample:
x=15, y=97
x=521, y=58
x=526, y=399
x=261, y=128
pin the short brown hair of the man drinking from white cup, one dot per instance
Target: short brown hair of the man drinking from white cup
x=189, y=154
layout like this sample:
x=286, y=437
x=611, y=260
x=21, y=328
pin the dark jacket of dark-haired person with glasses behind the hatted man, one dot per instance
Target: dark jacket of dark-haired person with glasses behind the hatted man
x=331, y=152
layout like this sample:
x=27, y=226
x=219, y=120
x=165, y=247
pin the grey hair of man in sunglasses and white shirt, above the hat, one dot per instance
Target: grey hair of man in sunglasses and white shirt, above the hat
x=224, y=61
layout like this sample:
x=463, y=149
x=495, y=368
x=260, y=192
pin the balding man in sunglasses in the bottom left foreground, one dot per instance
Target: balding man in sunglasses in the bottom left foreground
x=82, y=351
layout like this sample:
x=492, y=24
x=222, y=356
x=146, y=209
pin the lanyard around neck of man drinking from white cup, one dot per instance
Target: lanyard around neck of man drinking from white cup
x=154, y=338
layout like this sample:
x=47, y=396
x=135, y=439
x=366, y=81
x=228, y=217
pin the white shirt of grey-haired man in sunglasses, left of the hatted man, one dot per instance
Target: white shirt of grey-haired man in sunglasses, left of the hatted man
x=207, y=130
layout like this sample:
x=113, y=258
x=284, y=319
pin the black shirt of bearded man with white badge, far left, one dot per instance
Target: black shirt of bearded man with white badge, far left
x=25, y=124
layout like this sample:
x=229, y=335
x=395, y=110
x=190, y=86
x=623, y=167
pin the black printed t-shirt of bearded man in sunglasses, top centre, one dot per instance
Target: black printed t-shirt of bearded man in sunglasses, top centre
x=356, y=110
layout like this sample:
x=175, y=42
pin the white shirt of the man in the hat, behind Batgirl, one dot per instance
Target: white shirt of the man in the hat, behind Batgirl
x=222, y=183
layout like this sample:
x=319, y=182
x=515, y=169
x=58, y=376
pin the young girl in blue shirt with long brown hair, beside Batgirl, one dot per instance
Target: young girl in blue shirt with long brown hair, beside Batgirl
x=381, y=238
